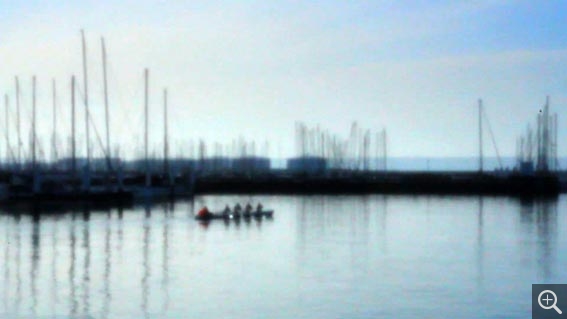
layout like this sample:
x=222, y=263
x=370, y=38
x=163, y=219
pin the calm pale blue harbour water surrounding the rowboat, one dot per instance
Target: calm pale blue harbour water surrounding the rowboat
x=320, y=257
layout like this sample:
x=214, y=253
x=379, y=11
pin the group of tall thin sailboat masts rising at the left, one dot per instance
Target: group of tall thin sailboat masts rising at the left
x=110, y=172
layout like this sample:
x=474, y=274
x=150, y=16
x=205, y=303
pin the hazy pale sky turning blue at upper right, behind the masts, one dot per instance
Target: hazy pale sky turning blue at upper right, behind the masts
x=253, y=68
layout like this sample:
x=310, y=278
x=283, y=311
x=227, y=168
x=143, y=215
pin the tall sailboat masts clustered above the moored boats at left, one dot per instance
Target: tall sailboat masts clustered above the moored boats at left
x=35, y=162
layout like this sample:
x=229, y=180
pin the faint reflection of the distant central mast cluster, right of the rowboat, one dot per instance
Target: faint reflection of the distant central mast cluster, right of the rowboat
x=334, y=228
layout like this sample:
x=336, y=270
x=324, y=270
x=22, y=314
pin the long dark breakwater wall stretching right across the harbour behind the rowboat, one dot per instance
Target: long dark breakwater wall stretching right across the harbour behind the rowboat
x=387, y=183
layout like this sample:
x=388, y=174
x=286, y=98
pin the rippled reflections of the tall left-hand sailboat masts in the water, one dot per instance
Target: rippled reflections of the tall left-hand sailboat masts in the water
x=34, y=231
